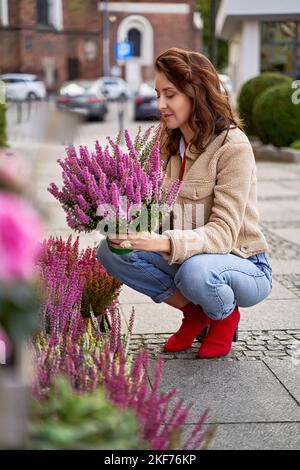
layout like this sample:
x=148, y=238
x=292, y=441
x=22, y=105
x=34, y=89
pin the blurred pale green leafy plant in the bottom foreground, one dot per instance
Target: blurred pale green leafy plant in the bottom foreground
x=81, y=421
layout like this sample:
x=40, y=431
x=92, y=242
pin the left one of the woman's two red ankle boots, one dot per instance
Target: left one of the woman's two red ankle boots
x=194, y=321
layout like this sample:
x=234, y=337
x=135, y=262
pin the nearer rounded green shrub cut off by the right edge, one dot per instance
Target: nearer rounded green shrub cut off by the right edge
x=277, y=119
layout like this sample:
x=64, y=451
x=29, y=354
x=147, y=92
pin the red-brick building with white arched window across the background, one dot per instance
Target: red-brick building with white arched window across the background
x=62, y=39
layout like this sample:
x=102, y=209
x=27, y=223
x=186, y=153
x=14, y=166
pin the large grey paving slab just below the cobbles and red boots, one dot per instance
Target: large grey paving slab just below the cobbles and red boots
x=234, y=392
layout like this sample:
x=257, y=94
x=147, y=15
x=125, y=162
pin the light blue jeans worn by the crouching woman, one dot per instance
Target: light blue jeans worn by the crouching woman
x=217, y=282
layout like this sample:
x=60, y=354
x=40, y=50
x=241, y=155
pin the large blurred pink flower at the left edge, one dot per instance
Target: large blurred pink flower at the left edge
x=20, y=231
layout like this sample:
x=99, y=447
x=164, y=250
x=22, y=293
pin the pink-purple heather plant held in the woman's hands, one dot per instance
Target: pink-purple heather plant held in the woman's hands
x=114, y=185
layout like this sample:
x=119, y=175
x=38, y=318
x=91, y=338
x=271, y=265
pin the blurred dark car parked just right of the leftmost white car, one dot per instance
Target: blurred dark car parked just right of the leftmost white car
x=84, y=97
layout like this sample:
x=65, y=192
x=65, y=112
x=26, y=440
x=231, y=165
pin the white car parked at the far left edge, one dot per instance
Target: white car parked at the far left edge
x=21, y=87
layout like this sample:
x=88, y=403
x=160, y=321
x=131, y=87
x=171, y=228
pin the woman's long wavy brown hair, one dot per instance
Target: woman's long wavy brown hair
x=194, y=75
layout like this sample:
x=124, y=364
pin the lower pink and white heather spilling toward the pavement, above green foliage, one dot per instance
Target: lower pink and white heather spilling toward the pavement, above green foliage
x=89, y=359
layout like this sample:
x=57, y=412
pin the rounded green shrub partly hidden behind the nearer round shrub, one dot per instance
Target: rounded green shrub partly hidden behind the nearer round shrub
x=251, y=90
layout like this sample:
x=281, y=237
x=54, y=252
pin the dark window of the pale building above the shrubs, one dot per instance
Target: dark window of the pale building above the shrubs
x=280, y=48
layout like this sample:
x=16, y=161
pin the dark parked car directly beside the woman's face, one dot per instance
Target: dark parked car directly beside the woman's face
x=145, y=103
